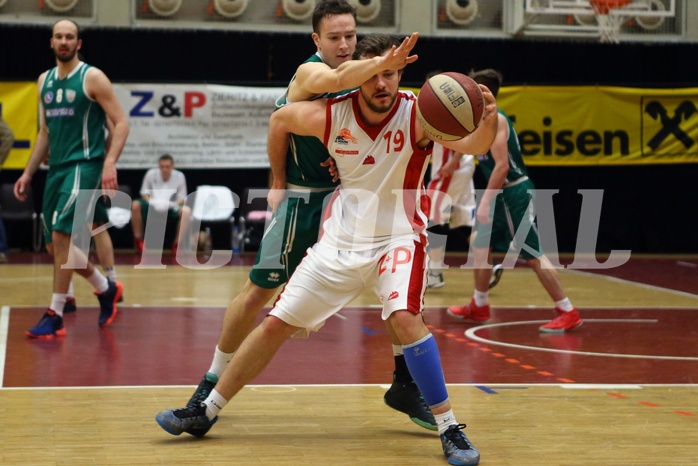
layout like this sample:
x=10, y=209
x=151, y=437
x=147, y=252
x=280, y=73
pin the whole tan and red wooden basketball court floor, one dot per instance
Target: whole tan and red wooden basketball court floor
x=621, y=390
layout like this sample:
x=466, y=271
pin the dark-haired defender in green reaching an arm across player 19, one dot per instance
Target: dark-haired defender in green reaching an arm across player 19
x=301, y=182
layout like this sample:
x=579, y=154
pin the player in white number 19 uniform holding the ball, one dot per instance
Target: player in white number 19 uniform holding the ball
x=374, y=237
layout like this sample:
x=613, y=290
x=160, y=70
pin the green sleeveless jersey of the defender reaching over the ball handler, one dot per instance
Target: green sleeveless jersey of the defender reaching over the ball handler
x=305, y=153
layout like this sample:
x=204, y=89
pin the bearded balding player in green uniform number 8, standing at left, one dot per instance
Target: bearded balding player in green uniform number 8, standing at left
x=75, y=101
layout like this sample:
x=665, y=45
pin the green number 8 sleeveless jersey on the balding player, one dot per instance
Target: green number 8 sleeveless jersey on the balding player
x=76, y=123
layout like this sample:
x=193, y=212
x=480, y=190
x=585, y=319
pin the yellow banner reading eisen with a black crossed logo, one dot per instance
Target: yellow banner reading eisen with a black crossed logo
x=583, y=125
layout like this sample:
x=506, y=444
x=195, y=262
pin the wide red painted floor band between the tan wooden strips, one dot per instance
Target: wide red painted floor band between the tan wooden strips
x=173, y=346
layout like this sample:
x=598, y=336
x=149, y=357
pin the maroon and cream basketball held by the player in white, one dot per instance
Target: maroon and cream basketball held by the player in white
x=450, y=106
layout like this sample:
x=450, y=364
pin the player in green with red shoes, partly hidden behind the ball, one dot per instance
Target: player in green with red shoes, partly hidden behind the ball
x=507, y=204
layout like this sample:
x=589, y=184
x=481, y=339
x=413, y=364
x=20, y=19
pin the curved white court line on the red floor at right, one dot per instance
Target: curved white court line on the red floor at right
x=470, y=333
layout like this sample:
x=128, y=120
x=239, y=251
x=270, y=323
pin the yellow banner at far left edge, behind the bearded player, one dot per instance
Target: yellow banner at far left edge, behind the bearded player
x=19, y=109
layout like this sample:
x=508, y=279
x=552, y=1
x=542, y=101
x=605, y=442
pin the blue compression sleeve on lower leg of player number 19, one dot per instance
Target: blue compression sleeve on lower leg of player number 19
x=423, y=361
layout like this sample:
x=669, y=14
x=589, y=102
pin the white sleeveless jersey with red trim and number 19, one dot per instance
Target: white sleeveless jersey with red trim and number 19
x=381, y=200
